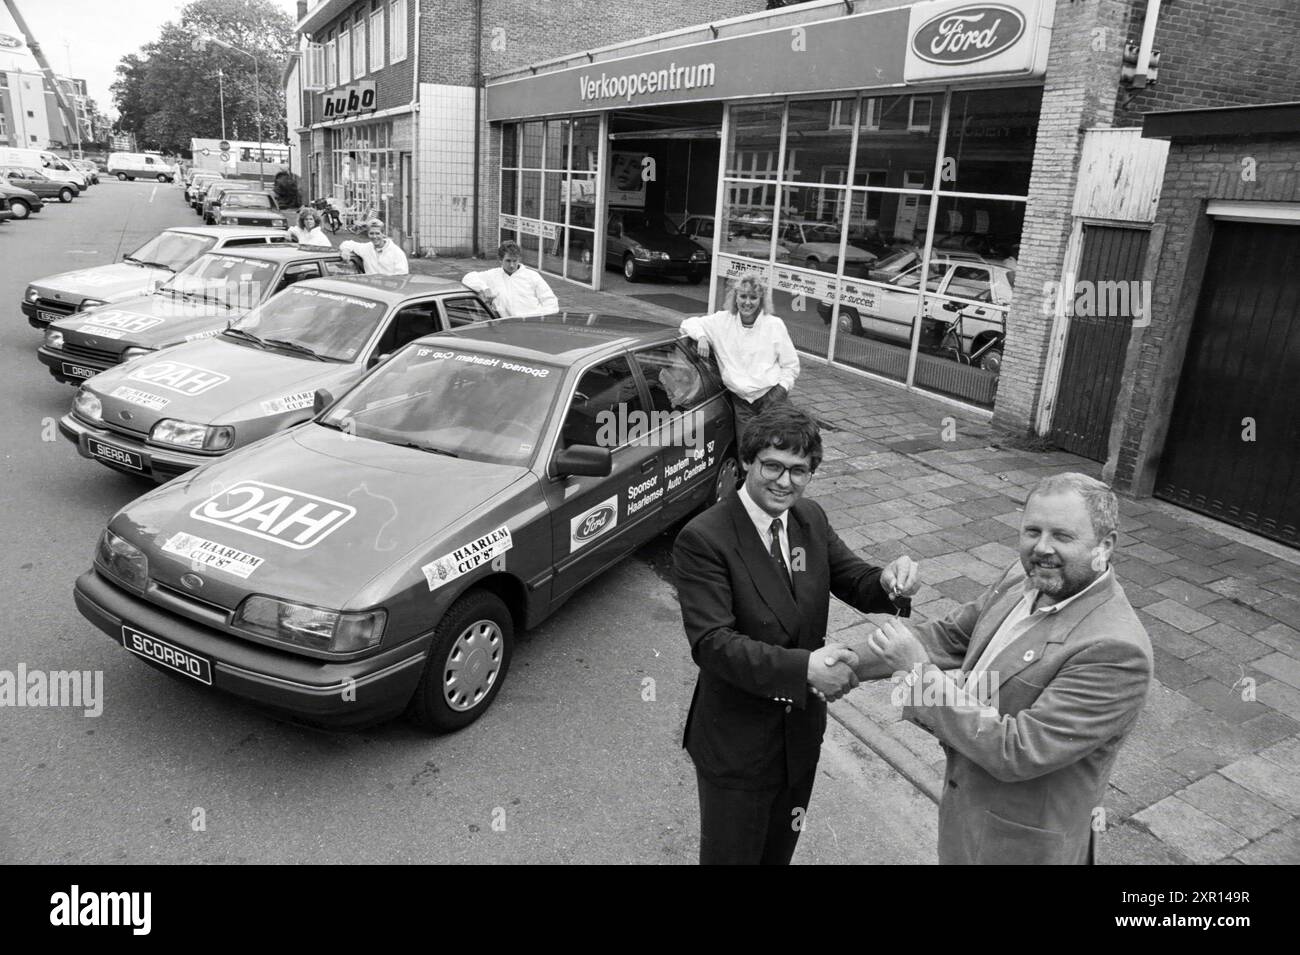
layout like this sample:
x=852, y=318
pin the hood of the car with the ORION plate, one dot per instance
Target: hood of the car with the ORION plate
x=149, y=322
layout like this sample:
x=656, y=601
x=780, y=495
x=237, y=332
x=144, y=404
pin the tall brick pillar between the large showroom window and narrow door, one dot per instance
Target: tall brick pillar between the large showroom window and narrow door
x=1082, y=76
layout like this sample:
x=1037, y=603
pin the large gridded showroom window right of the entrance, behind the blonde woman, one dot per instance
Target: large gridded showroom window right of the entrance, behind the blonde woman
x=890, y=227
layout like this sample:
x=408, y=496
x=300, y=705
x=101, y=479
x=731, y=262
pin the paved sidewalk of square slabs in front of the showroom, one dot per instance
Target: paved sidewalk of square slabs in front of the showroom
x=1212, y=772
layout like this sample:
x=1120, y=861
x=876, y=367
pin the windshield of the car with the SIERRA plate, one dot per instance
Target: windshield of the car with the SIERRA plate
x=330, y=325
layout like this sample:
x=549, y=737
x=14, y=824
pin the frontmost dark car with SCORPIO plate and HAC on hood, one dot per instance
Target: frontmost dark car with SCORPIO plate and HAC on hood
x=398, y=541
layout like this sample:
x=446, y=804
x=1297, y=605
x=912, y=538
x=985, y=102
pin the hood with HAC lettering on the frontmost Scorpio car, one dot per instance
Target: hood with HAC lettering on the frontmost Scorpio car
x=365, y=506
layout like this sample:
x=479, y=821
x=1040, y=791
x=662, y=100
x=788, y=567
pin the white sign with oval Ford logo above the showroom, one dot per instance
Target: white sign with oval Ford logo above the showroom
x=952, y=41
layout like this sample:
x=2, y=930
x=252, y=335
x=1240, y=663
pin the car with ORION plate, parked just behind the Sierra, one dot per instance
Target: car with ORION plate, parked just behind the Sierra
x=198, y=302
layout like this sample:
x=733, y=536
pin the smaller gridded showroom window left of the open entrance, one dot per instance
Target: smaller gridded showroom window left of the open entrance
x=548, y=193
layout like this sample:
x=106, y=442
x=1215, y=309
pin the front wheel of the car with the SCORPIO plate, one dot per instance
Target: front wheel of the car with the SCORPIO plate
x=475, y=637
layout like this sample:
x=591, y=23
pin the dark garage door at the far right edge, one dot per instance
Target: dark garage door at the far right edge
x=1241, y=380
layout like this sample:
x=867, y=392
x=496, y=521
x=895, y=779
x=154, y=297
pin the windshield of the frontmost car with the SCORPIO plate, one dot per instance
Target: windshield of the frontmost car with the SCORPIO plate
x=443, y=398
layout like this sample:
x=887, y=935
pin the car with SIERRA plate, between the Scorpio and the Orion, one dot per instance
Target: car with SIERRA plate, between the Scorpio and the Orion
x=166, y=414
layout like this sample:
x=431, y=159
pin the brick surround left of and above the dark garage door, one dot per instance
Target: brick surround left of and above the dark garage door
x=1197, y=172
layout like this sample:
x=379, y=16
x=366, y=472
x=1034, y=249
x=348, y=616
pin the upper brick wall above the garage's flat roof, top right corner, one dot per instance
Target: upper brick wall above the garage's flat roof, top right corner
x=1217, y=54
